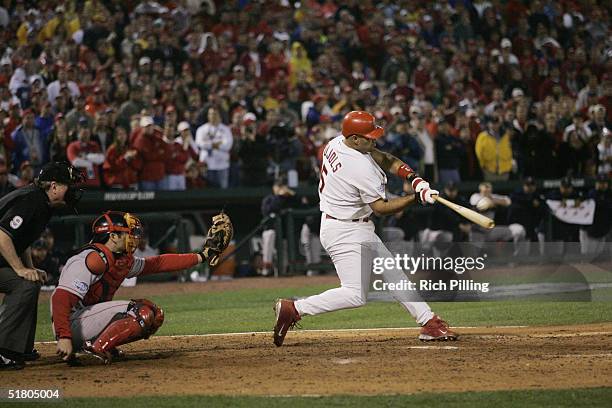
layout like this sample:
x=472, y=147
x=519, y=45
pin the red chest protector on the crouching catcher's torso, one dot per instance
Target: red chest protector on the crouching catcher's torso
x=117, y=270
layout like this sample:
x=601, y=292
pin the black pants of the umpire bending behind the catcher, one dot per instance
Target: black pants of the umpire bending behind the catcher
x=17, y=312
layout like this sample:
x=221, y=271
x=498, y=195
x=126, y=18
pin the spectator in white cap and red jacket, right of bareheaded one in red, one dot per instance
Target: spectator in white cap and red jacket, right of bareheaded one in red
x=154, y=152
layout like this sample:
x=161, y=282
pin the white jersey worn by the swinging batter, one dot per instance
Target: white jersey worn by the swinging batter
x=350, y=181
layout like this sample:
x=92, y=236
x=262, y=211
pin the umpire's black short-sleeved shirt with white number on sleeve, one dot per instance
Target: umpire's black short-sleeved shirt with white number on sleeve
x=24, y=214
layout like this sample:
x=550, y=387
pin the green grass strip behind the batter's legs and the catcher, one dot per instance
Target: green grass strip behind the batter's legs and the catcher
x=251, y=310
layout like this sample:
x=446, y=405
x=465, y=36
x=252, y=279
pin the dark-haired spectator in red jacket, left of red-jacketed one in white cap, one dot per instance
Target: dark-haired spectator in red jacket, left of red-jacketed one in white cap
x=122, y=164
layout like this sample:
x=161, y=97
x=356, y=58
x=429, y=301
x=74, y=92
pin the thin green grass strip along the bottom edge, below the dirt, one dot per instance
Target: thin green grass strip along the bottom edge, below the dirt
x=586, y=397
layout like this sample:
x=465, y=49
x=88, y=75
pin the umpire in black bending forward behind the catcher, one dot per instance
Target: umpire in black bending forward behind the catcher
x=24, y=214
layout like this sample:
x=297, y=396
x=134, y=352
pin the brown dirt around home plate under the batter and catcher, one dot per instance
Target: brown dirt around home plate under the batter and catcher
x=384, y=361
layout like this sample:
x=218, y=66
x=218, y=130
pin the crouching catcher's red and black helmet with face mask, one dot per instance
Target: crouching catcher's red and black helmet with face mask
x=118, y=221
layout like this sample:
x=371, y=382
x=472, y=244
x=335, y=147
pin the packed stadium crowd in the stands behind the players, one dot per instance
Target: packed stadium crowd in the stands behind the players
x=187, y=93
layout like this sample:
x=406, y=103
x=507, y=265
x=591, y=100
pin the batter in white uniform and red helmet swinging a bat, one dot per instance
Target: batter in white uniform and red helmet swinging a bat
x=352, y=186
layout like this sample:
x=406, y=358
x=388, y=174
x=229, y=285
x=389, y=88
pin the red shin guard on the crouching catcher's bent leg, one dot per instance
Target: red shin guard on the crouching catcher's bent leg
x=142, y=319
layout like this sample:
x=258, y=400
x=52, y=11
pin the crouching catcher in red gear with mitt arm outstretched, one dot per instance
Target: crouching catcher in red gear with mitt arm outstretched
x=84, y=315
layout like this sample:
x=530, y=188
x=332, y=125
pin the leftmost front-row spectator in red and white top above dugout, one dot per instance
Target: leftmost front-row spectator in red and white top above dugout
x=86, y=154
